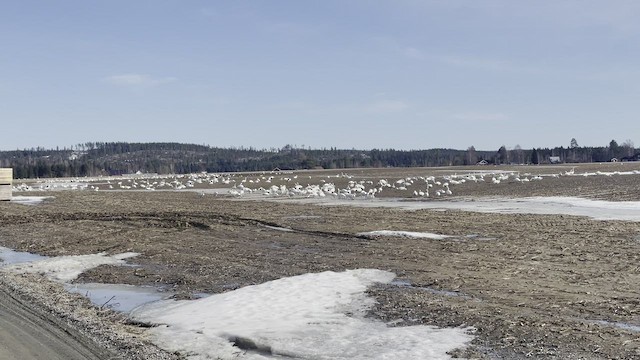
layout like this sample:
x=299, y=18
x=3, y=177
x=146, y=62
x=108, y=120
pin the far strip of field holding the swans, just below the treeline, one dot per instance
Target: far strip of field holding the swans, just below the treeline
x=596, y=180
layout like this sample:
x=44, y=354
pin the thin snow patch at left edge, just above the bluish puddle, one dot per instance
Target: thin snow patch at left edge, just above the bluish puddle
x=67, y=268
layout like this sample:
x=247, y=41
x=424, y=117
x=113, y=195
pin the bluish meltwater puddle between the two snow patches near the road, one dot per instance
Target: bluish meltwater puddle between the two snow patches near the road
x=119, y=297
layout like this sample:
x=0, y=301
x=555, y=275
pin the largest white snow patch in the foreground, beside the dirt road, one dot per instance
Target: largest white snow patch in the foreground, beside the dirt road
x=319, y=316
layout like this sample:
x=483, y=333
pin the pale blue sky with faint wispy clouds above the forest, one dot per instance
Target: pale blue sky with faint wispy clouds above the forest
x=405, y=74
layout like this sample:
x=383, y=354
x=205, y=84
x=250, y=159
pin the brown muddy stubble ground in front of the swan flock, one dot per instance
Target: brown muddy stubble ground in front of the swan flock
x=541, y=286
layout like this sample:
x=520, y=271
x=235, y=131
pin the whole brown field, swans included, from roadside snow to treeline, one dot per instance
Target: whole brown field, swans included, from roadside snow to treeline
x=533, y=285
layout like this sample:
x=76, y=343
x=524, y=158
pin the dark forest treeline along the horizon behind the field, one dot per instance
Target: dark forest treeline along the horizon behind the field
x=117, y=158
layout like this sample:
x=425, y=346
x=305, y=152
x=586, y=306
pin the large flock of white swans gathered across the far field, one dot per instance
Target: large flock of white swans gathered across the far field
x=289, y=184
